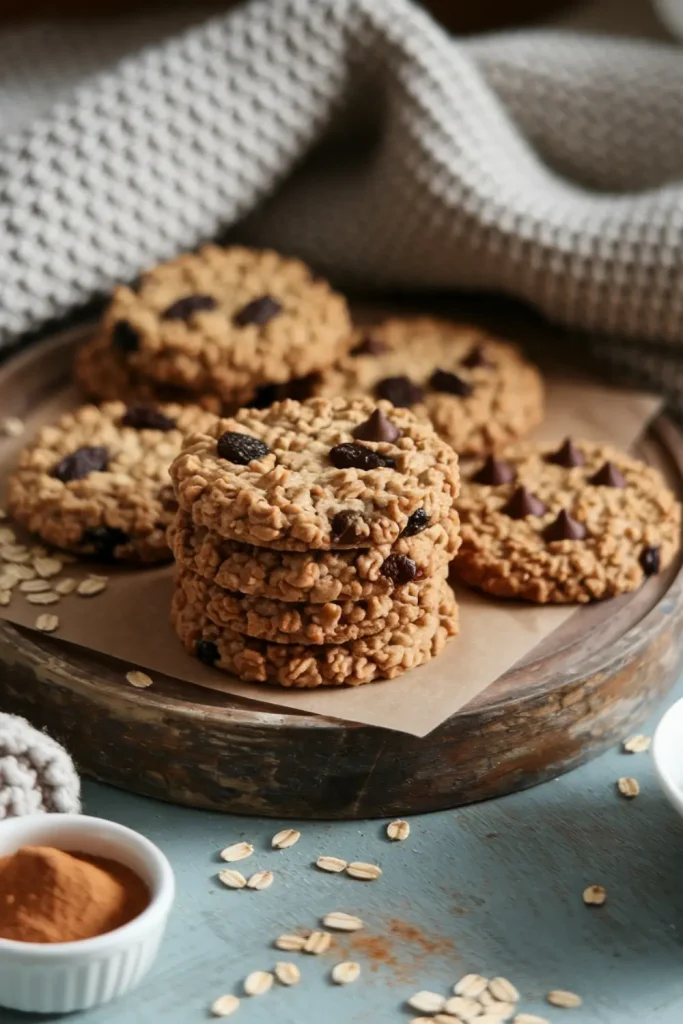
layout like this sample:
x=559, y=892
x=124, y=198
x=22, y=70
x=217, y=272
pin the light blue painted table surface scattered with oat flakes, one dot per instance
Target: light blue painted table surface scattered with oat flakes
x=496, y=889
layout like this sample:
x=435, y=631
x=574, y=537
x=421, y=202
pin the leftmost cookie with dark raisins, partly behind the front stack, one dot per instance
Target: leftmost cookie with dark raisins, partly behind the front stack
x=98, y=482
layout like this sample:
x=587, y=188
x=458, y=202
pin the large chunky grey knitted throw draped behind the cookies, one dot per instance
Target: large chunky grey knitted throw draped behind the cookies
x=359, y=135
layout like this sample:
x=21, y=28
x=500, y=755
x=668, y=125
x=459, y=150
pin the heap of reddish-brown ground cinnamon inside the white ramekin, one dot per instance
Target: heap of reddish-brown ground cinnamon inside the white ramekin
x=48, y=895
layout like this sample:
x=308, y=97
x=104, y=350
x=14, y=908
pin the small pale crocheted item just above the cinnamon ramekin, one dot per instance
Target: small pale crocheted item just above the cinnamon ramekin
x=36, y=774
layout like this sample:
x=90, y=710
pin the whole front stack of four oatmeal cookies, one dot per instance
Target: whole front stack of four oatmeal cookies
x=313, y=543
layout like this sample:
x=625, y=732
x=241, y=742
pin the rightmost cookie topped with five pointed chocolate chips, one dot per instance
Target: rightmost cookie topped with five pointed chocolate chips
x=575, y=524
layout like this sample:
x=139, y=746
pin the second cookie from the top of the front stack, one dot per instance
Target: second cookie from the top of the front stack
x=314, y=577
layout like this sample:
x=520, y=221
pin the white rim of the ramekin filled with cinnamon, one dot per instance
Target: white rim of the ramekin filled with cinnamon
x=159, y=906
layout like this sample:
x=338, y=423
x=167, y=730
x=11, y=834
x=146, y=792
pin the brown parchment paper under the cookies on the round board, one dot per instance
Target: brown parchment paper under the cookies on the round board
x=131, y=622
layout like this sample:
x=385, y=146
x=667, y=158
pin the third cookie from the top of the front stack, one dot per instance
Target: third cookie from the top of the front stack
x=413, y=604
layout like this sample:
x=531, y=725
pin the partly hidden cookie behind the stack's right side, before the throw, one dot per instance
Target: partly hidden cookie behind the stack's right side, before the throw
x=479, y=392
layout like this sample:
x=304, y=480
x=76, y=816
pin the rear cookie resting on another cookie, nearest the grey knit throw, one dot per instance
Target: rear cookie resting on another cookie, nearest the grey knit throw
x=227, y=322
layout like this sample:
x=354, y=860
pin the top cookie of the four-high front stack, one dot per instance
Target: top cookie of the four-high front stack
x=315, y=476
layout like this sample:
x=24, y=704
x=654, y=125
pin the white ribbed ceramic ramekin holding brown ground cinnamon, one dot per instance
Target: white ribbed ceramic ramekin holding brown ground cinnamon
x=58, y=978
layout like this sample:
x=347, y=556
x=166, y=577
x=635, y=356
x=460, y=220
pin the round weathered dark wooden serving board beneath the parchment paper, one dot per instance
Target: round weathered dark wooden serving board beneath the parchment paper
x=581, y=692
